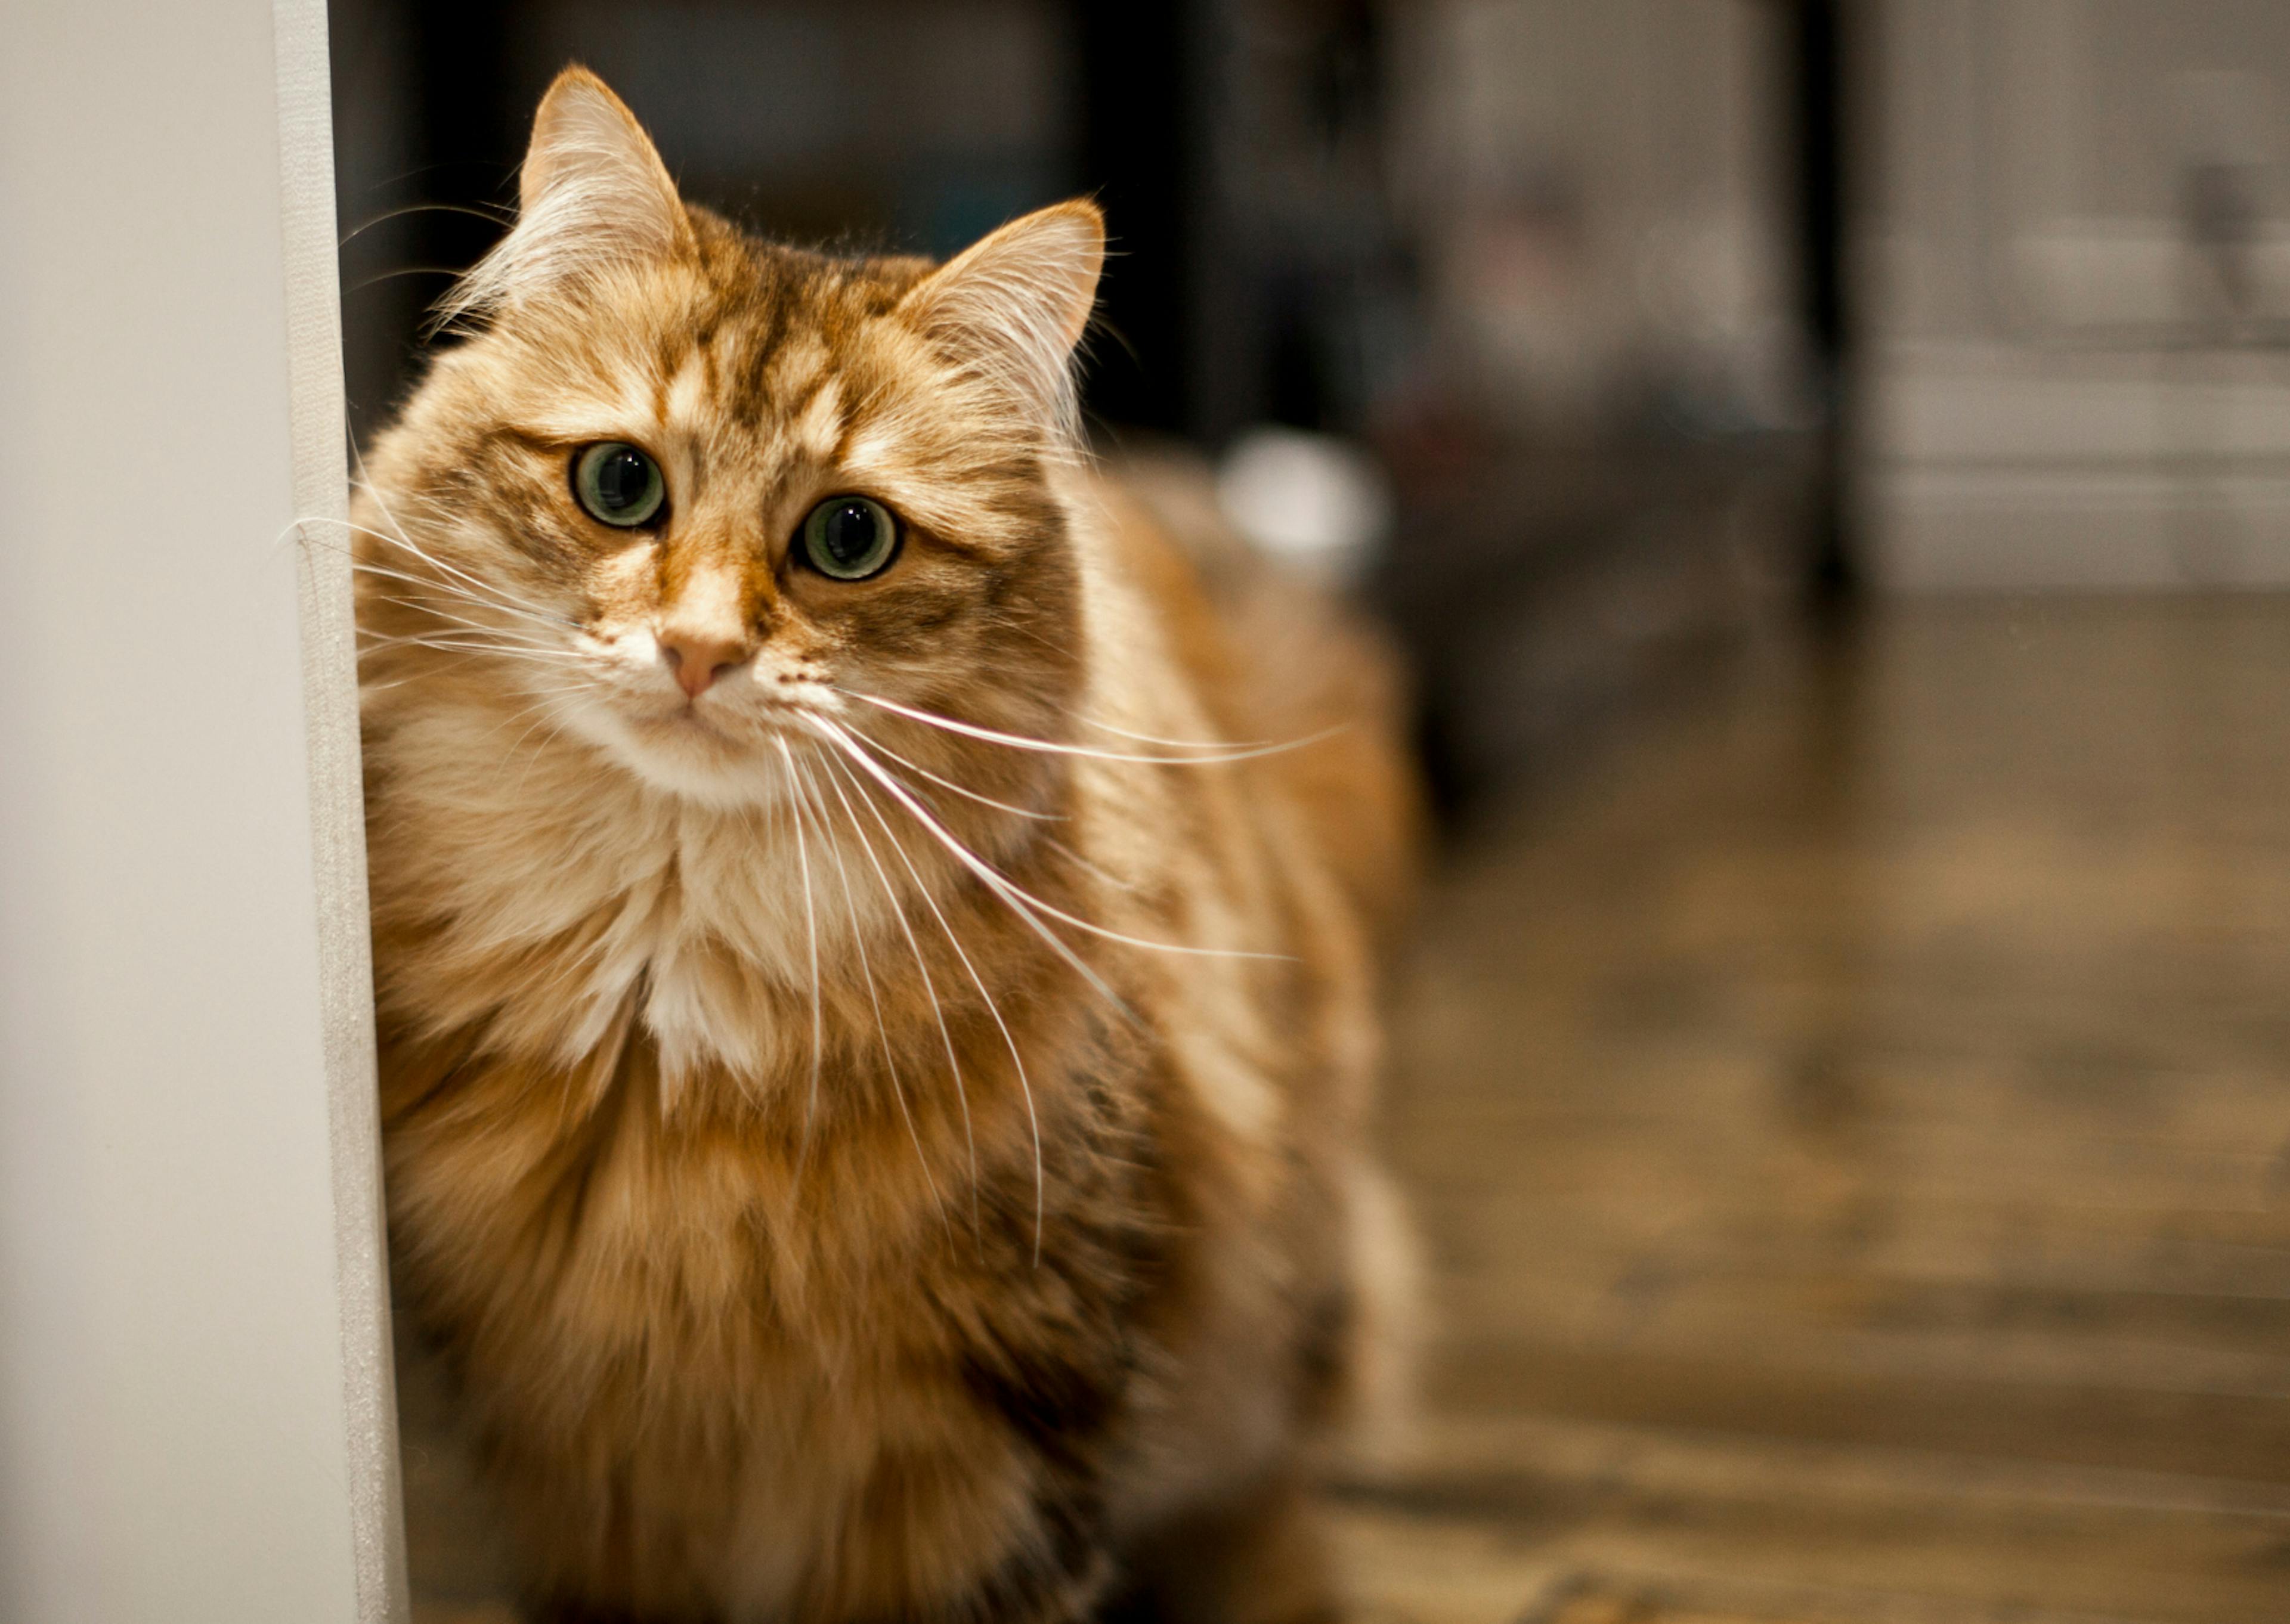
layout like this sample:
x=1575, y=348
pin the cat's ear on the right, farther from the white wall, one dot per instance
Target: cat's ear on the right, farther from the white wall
x=1016, y=303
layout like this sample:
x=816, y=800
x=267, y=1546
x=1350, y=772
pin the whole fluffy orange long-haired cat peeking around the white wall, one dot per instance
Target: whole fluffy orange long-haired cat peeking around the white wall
x=874, y=940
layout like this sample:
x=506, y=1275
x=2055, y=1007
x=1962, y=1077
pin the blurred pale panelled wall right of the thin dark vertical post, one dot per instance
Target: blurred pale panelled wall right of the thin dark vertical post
x=2076, y=274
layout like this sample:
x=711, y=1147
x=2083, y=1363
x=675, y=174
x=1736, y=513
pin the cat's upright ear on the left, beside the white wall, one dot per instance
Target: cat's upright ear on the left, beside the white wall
x=592, y=198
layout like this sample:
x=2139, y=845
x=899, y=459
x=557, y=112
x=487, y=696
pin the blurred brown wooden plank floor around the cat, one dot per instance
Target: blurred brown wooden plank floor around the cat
x=1849, y=1119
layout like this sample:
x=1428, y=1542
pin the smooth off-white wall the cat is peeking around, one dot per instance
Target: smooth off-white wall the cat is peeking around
x=177, y=1192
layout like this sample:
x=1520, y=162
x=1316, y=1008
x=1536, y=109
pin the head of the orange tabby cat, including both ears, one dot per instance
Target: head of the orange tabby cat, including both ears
x=681, y=494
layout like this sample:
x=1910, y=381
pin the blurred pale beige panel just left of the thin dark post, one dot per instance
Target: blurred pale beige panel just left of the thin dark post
x=1604, y=191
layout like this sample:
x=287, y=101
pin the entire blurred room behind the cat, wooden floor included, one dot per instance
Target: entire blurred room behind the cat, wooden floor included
x=1829, y=466
